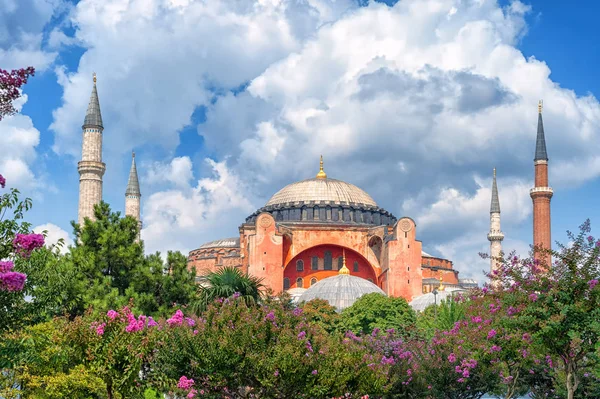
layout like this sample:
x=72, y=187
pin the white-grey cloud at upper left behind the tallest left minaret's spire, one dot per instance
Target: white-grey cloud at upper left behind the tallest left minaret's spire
x=158, y=60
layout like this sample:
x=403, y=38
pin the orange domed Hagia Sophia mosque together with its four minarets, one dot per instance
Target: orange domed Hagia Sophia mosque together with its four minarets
x=322, y=237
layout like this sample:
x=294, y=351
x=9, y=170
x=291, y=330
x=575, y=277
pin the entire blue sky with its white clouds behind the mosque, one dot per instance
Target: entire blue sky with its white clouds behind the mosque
x=414, y=102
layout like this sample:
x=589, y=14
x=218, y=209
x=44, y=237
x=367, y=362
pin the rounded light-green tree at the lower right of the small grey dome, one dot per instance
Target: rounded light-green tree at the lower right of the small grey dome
x=374, y=310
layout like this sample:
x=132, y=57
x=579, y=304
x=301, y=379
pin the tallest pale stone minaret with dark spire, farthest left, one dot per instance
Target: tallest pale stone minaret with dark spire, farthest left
x=91, y=168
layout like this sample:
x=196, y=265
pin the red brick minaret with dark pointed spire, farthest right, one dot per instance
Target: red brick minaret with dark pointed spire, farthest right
x=541, y=193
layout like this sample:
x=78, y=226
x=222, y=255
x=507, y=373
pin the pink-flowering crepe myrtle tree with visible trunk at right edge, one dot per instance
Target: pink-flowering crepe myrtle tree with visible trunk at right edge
x=558, y=305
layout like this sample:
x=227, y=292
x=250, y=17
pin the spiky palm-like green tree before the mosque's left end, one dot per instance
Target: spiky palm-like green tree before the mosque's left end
x=225, y=282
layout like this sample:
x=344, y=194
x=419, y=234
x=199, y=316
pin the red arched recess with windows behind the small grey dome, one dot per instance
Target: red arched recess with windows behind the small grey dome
x=325, y=254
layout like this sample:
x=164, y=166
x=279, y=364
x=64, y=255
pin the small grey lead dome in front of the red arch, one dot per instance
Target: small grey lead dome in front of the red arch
x=340, y=291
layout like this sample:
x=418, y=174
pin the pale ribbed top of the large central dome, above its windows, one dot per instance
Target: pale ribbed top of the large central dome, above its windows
x=331, y=191
